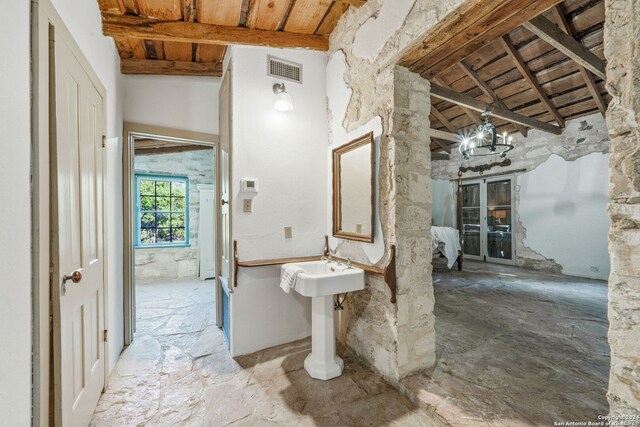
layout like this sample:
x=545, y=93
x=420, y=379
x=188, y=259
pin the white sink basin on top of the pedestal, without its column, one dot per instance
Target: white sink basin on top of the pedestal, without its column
x=321, y=279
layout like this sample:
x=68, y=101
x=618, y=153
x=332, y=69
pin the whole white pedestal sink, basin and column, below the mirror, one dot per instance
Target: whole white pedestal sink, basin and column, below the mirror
x=321, y=280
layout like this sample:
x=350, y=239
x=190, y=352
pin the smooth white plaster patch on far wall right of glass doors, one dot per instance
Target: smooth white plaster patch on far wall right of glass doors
x=563, y=206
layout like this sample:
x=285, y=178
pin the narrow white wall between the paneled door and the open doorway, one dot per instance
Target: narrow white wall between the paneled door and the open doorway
x=83, y=20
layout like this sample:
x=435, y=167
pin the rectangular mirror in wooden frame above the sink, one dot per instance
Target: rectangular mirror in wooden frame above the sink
x=353, y=185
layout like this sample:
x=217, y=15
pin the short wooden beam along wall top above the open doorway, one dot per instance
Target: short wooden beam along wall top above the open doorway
x=170, y=68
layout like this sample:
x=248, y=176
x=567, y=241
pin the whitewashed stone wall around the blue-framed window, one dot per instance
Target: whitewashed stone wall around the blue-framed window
x=180, y=262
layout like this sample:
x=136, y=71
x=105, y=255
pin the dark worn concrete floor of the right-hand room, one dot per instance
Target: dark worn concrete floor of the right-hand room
x=516, y=348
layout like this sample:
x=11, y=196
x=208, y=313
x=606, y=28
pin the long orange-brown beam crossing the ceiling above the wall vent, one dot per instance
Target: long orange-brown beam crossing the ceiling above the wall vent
x=194, y=32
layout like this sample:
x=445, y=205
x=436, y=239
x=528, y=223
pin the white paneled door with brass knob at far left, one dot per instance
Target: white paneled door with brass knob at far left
x=77, y=248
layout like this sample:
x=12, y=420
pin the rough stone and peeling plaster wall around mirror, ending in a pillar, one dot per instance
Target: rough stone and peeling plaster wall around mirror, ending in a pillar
x=370, y=40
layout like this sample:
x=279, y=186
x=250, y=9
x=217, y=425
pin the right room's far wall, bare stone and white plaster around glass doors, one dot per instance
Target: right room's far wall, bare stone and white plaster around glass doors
x=536, y=247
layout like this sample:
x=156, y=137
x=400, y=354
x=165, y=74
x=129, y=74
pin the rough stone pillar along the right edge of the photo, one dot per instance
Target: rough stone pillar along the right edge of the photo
x=622, y=47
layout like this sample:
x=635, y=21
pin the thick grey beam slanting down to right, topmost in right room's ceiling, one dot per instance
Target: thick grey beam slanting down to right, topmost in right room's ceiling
x=566, y=44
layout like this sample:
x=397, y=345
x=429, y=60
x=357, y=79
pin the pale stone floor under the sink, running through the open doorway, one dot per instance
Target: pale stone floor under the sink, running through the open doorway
x=178, y=373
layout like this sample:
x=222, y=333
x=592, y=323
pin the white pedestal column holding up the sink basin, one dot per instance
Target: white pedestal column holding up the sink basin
x=322, y=363
